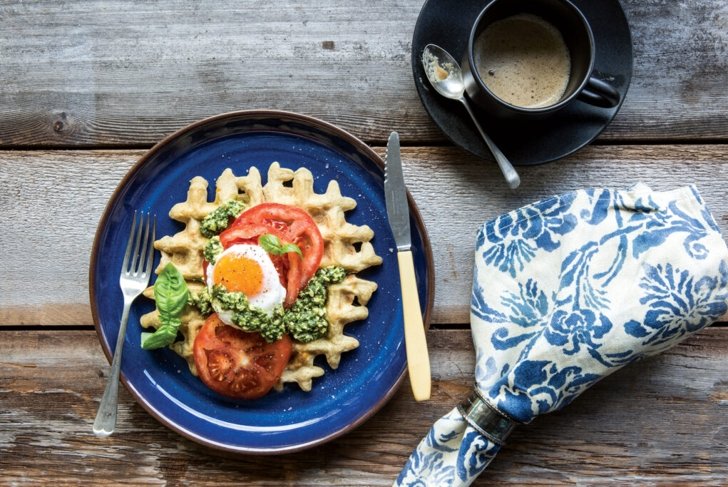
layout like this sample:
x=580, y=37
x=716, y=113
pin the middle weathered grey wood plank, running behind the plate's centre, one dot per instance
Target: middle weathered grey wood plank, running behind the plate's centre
x=54, y=200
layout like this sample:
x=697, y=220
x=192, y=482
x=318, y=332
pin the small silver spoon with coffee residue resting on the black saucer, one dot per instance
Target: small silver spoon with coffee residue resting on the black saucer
x=446, y=77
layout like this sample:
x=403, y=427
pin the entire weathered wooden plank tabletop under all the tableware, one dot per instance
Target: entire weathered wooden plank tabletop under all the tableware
x=87, y=86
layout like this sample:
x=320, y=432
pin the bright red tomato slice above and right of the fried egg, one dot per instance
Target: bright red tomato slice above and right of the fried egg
x=291, y=225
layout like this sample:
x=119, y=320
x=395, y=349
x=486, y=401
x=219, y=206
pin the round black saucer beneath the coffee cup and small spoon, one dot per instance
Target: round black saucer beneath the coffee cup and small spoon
x=447, y=25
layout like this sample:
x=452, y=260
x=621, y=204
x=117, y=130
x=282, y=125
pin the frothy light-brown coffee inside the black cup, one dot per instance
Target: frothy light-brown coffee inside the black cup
x=524, y=61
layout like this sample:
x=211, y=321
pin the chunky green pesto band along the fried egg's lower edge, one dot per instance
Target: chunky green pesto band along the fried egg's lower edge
x=305, y=321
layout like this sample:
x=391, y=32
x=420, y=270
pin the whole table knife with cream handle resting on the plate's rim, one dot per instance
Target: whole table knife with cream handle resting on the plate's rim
x=395, y=196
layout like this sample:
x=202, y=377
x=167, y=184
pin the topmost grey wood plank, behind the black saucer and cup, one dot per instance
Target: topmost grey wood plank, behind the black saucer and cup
x=117, y=73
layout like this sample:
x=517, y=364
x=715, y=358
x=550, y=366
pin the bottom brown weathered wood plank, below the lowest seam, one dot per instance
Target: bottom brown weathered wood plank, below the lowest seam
x=661, y=421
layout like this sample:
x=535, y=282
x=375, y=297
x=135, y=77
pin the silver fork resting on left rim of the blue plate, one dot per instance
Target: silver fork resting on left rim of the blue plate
x=135, y=272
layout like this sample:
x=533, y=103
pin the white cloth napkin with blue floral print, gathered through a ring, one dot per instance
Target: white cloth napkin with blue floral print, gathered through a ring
x=567, y=291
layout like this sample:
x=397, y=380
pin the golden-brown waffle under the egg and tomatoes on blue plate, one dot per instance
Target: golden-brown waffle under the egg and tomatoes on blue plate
x=345, y=245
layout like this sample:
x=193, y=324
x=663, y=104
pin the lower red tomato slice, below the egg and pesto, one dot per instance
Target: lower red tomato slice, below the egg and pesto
x=237, y=364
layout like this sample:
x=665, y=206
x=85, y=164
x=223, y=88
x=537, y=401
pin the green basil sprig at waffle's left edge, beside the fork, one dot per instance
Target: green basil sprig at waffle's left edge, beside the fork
x=171, y=296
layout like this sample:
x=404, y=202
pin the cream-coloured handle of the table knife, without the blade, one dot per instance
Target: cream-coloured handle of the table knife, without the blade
x=418, y=360
